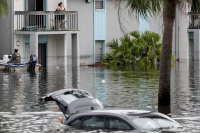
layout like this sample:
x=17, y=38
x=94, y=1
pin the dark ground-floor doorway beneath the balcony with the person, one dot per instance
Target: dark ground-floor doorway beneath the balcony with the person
x=42, y=52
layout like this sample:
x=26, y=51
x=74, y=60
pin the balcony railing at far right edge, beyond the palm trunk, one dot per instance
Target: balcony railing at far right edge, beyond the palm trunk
x=194, y=21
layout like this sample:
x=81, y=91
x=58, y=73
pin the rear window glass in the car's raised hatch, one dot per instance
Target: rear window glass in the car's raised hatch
x=71, y=96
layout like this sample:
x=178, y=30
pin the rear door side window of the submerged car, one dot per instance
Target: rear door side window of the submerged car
x=93, y=122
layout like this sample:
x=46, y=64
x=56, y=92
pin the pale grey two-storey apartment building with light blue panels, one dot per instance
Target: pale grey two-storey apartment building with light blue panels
x=89, y=26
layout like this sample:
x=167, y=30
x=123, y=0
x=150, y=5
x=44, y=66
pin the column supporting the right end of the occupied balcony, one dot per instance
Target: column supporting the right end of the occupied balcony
x=75, y=50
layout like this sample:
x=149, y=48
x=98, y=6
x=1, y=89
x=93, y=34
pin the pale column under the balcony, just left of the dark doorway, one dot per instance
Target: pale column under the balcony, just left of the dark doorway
x=34, y=43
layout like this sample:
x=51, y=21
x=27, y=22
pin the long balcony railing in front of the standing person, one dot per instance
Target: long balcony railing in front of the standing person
x=46, y=20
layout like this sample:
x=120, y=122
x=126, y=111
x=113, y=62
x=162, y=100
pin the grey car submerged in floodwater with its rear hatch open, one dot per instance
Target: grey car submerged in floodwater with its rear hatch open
x=83, y=111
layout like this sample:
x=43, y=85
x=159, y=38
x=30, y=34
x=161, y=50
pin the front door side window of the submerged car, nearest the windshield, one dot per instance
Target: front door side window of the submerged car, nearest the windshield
x=118, y=124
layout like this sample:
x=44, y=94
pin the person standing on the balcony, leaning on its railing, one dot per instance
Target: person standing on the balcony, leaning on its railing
x=60, y=18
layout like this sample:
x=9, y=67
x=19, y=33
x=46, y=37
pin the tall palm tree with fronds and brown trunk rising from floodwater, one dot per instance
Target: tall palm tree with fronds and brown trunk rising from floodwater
x=168, y=7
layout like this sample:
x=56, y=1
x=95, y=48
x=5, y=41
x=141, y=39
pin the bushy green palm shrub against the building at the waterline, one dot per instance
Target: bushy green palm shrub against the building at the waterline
x=135, y=47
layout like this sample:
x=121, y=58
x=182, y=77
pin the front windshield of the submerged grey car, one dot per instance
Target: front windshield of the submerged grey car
x=150, y=123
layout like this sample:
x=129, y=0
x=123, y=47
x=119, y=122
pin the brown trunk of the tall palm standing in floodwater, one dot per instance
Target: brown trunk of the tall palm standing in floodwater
x=169, y=14
